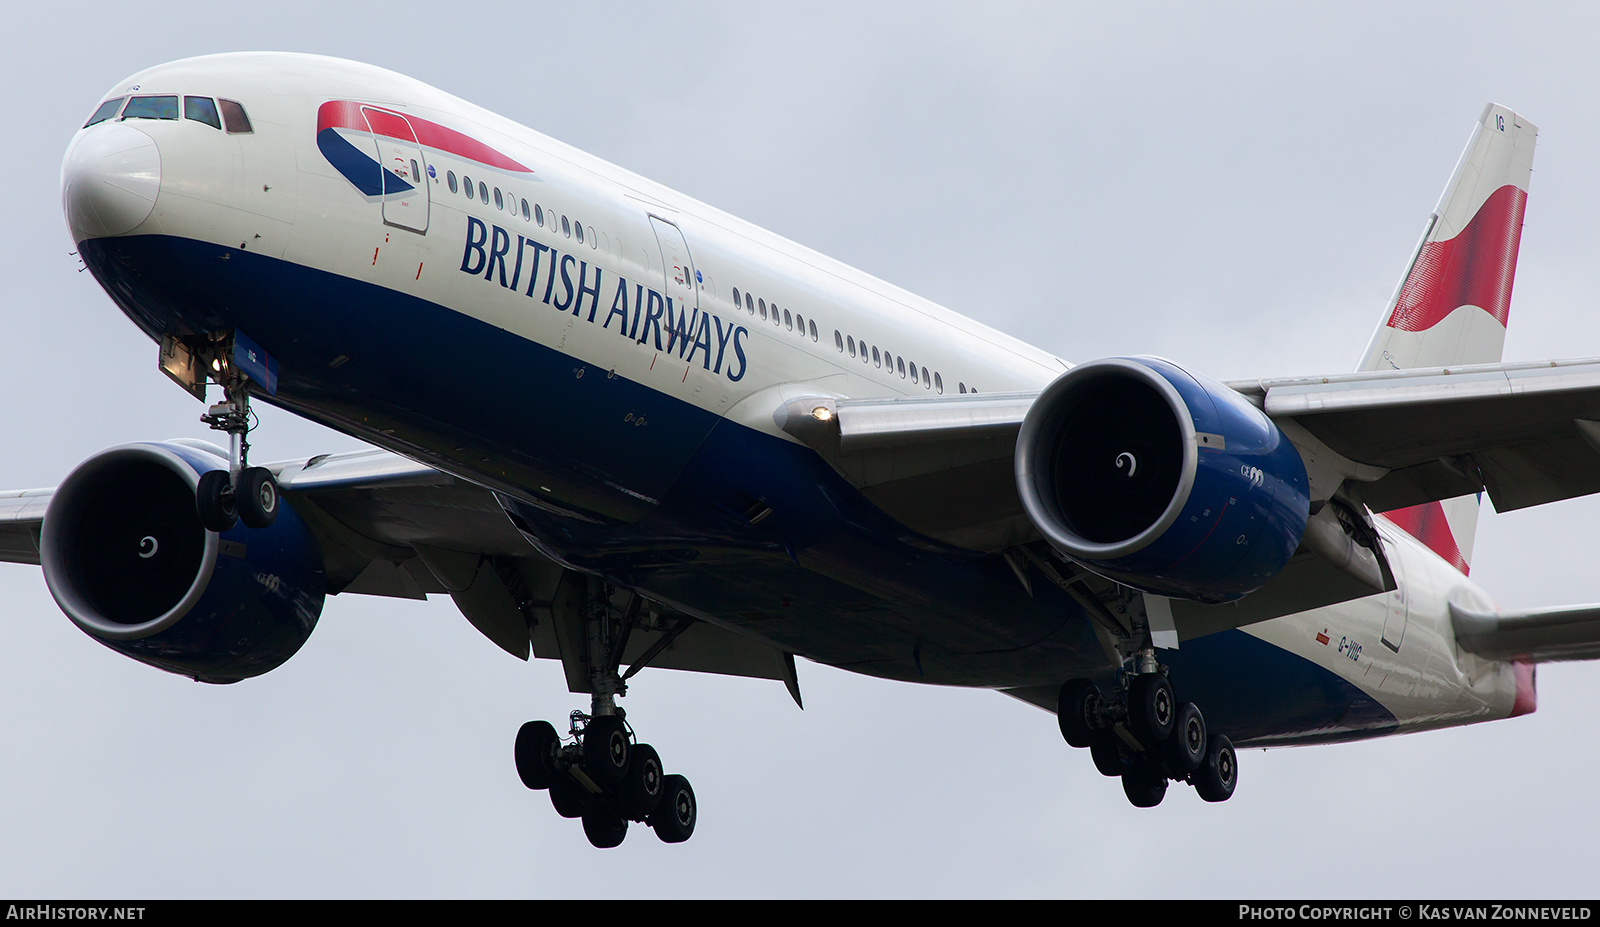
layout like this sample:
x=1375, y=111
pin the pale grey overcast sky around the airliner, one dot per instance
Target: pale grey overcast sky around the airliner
x=1233, y=187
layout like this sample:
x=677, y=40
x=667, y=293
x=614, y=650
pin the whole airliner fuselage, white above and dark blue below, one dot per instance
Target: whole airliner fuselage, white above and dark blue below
x=607, y=356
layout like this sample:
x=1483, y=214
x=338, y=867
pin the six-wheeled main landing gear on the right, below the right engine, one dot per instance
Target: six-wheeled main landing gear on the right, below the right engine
x=1145, y=736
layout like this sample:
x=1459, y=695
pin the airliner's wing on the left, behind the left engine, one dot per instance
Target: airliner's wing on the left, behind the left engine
x=390, y=526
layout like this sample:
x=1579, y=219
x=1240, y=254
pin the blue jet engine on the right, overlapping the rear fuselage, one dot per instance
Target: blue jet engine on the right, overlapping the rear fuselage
x=1161, y=480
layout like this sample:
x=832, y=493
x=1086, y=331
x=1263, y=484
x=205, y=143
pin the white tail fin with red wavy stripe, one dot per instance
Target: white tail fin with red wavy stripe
x=1454, y=302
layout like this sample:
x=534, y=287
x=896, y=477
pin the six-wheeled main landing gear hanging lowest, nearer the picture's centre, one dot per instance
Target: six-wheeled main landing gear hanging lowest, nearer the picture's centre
x=601, y=772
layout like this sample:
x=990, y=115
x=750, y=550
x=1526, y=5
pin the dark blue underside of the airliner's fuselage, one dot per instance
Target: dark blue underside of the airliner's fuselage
x=666, y=508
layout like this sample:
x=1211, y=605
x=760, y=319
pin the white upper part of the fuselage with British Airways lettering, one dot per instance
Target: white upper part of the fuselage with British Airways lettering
x=276, y=193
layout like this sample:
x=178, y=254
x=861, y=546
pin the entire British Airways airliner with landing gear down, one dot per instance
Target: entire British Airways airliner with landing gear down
x=622, y=430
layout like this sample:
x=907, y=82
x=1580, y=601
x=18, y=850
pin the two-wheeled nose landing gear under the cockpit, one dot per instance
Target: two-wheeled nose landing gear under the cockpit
x=241, y=494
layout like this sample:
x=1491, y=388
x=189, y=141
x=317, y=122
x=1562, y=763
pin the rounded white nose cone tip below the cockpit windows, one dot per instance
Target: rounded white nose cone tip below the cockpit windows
x=110, y=180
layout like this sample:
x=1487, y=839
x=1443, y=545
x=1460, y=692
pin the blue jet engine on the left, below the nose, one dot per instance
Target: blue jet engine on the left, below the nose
x=130, y=564
